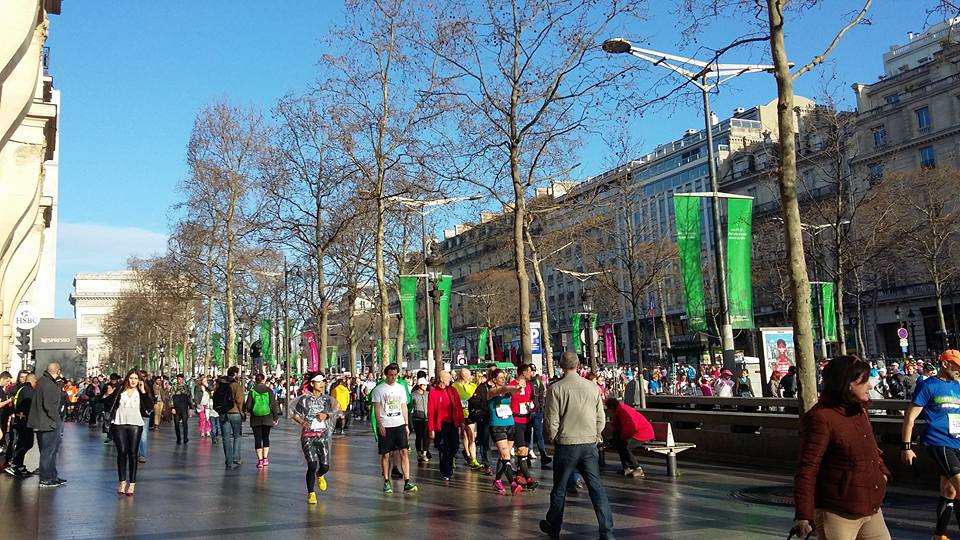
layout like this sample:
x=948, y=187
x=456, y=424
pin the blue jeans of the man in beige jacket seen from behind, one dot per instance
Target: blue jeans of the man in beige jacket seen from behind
x=584, y=459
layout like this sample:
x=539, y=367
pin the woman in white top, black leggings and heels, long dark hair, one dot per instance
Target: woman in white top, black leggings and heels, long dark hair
x=129, y=409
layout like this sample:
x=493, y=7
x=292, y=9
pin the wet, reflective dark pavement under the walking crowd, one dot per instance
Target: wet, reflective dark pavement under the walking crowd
x=184, y=492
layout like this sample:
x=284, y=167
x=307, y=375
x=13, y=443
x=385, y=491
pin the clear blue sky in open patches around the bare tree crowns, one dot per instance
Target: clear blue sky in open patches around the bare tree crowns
x=134, y=74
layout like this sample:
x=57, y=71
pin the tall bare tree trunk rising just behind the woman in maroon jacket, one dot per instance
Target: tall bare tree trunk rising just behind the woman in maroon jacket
x=797, y=266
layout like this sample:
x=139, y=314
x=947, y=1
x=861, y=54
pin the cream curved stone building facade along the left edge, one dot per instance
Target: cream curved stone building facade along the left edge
x=28, y=171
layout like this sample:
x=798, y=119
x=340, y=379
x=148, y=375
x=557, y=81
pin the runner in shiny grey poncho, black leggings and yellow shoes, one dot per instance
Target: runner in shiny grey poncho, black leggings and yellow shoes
x=314, y=412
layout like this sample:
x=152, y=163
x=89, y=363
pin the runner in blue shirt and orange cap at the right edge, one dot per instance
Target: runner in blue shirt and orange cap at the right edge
x=937, y=400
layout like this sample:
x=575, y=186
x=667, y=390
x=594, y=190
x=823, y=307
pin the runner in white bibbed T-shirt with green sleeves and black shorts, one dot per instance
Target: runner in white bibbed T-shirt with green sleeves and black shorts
x=393, y=427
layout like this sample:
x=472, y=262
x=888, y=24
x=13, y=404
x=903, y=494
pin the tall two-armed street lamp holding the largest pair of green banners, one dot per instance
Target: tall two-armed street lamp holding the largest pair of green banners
x=706, y=76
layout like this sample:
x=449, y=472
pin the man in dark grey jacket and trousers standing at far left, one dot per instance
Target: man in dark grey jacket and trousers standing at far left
x=45, y=420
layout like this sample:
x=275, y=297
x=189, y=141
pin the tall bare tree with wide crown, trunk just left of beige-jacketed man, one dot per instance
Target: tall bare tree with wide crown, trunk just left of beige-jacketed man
x=526, y=76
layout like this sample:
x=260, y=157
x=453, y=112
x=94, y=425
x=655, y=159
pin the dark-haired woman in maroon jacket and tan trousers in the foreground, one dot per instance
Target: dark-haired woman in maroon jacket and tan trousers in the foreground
x=840, y=479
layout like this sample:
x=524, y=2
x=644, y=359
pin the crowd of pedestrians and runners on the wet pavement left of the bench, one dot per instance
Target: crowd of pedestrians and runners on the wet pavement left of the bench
x=497, y=423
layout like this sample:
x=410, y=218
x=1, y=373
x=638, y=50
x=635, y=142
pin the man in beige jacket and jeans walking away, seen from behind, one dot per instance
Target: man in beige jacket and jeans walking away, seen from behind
x=574, y=423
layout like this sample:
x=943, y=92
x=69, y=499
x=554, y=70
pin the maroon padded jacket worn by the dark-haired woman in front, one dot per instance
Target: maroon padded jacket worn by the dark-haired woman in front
x=841, y=467
